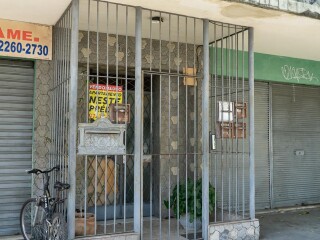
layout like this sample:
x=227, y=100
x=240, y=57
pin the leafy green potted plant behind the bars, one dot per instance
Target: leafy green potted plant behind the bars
x=188, y=198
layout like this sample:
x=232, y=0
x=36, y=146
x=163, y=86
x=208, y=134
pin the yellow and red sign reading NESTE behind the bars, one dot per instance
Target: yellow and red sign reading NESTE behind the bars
x=100, y=97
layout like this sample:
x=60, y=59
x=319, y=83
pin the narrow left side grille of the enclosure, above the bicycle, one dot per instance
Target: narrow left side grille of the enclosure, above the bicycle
x=59, y=141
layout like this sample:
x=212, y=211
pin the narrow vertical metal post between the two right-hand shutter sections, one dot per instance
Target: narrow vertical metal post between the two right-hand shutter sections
x=271, y=145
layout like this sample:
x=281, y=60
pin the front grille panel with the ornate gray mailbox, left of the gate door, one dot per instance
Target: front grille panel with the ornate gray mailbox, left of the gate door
x=105, y=184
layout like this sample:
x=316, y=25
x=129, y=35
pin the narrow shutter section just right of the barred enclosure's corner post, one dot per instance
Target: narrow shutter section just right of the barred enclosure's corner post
x=262, y=166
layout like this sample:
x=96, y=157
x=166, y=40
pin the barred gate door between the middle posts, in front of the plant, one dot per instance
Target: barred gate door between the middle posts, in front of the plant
x=174, y=156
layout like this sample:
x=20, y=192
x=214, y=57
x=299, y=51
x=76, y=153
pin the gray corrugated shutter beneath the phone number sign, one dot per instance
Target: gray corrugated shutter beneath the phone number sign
x=16, y=113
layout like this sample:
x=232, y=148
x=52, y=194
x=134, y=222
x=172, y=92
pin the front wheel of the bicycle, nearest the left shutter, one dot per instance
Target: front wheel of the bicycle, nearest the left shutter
x=32, y=222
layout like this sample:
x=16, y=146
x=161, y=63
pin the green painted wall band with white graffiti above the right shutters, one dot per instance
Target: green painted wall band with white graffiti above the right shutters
x=267, y=67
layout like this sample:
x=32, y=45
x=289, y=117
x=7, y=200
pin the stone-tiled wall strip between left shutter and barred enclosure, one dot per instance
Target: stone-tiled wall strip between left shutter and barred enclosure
x=42, y=117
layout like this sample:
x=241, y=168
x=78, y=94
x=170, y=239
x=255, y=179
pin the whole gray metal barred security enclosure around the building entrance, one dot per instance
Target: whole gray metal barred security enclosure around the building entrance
x=144, y=74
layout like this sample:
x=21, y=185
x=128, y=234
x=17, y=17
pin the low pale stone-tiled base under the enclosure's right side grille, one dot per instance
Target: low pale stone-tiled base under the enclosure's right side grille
x=240, y=230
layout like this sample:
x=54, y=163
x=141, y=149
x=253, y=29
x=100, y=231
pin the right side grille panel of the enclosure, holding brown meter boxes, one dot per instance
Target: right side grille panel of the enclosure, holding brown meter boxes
x=229, y=113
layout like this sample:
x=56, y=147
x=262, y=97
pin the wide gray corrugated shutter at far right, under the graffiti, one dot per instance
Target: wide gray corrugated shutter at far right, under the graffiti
x=296, y=126
